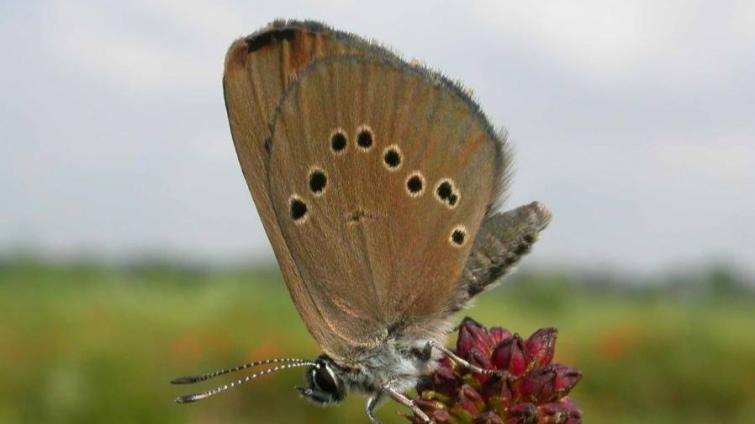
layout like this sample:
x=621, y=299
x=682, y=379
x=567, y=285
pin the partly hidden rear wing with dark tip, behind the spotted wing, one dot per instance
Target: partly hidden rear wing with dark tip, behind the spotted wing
x=258, y=70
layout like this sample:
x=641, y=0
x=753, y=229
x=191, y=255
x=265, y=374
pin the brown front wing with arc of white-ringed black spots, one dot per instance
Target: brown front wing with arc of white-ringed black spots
x=380, y=174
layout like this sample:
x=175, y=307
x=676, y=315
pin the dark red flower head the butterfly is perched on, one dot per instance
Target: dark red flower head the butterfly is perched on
x=527, y=389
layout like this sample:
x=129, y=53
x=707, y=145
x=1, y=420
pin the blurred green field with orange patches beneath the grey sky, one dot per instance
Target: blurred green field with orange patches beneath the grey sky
x=90, y=344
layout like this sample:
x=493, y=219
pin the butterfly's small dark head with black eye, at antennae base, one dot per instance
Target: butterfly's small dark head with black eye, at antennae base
x=325, y=384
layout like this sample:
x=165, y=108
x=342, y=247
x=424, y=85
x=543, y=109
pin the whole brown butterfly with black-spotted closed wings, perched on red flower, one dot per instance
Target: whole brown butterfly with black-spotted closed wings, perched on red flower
x=377, y=182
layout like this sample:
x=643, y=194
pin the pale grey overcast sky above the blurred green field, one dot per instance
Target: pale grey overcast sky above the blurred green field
x=633, y=121
